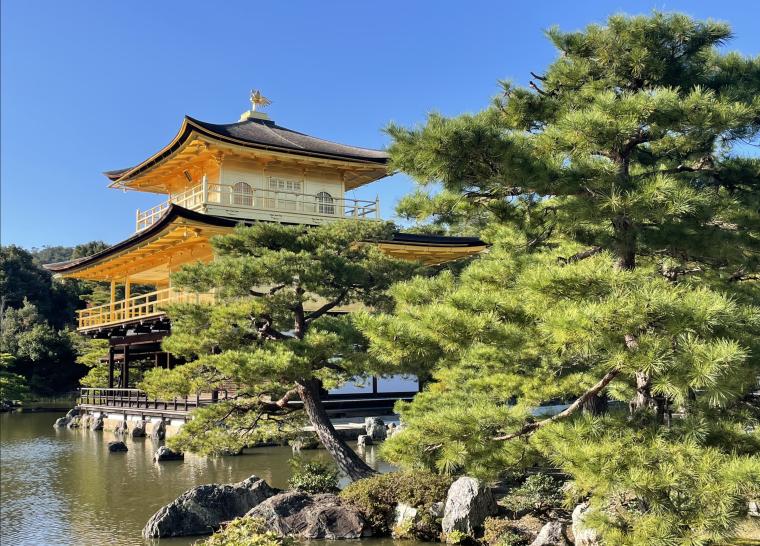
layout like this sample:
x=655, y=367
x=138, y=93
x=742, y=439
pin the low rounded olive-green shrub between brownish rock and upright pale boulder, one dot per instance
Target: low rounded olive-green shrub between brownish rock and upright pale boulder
x=376, y=497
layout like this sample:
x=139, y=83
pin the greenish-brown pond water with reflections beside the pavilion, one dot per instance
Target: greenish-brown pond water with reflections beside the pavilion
x=62, y=487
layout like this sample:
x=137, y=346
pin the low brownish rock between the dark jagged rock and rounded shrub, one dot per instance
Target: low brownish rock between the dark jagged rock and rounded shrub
x=306, y=516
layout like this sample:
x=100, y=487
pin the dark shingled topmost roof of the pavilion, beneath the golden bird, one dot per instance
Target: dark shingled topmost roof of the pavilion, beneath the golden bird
x=263, y=134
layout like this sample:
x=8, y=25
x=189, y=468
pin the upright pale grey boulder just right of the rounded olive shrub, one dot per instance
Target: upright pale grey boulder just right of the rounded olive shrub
x=468, y=503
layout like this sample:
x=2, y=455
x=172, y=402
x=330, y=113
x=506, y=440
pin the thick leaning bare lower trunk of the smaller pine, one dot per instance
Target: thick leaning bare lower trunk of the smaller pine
x=348, y=461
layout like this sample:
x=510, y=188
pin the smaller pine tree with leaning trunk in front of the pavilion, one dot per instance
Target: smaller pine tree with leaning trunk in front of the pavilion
x=270, y=332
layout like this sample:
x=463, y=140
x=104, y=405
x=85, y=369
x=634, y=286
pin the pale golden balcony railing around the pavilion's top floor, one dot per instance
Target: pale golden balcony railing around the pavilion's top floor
x=254, y=199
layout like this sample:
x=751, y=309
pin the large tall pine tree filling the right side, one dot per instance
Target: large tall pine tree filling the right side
x=623, y=209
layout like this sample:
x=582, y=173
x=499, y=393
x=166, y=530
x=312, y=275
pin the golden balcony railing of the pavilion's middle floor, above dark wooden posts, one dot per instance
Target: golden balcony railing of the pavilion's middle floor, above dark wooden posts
x=137, y=307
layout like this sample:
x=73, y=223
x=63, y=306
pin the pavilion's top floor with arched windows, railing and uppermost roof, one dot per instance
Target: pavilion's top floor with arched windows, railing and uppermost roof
x=254, y=169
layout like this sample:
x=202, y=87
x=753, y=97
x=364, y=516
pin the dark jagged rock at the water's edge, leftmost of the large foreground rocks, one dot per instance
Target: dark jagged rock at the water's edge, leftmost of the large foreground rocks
x=202, y=509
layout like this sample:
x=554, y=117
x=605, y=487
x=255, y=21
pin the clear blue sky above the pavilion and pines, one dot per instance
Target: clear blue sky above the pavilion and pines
x=89, y=86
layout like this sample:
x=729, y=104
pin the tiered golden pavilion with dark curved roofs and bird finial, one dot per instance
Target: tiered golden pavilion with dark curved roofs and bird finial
x=213, y=177
